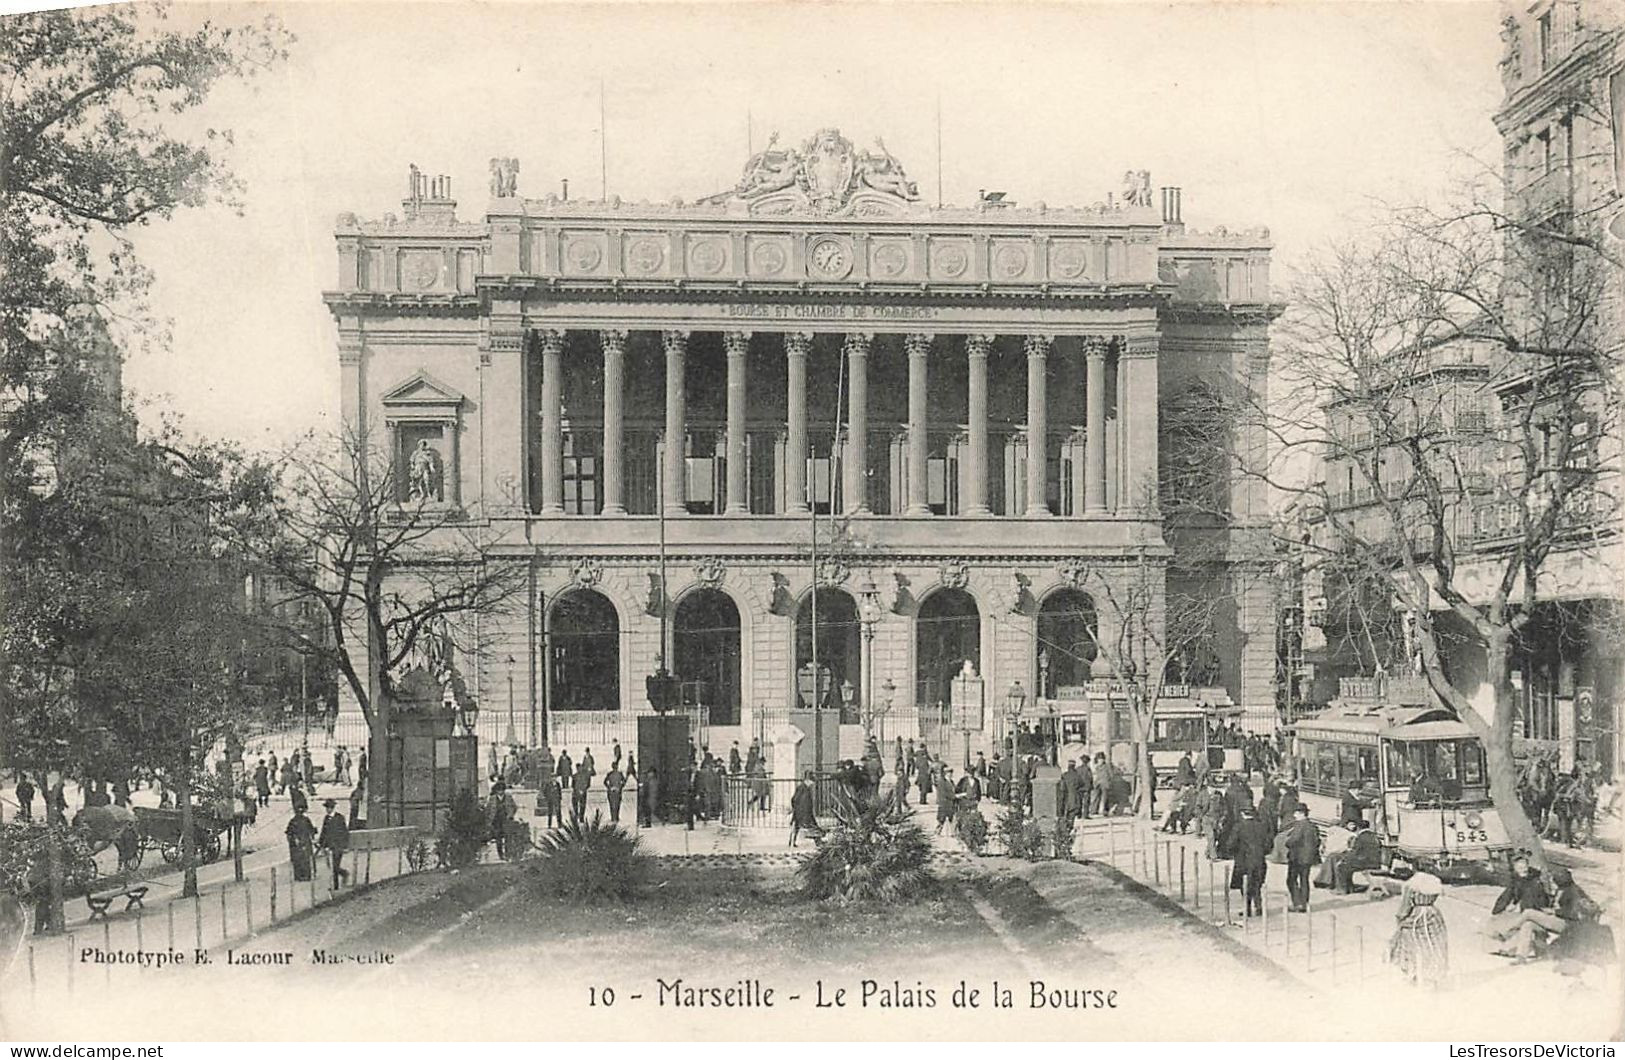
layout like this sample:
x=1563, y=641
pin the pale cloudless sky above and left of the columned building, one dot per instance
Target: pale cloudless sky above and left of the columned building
x=1293, y=116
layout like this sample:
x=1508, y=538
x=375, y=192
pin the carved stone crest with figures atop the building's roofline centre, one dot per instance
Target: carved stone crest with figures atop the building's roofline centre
x=825, y=176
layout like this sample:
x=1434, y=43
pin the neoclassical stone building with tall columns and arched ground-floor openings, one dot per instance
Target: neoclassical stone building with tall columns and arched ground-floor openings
x=964, y=402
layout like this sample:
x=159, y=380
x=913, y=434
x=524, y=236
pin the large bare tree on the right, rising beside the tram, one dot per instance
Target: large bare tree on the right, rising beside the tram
x=1442, y=393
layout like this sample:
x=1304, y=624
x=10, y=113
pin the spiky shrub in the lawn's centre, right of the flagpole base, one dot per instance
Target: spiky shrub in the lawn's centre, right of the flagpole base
x=875, y=851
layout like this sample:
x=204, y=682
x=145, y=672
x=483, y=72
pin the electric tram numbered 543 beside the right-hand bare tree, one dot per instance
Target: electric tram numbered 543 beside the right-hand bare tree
x=1419, y=768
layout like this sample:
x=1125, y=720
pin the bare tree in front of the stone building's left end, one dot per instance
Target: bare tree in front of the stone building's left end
x=389, y=570
